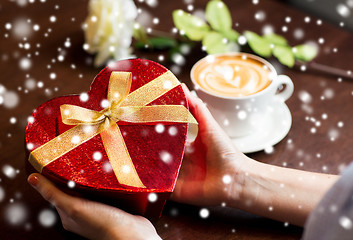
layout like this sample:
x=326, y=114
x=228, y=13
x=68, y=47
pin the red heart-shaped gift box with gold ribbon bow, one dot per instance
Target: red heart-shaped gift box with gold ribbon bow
x=122, y=143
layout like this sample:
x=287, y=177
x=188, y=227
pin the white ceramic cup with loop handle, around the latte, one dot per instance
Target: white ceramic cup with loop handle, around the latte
x=242, y=115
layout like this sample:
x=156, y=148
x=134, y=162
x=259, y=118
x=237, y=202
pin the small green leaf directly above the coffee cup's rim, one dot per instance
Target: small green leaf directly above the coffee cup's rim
x=214, y=43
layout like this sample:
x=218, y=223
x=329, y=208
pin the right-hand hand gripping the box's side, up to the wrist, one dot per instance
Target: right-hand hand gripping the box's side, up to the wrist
x=210, y=173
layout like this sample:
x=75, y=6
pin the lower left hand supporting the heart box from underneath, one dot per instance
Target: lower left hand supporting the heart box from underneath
x=93, y=220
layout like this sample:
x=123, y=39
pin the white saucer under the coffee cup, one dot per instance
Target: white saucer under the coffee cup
x=278, y=124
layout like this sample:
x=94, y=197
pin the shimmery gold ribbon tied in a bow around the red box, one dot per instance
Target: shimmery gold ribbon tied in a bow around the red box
x=122, y=107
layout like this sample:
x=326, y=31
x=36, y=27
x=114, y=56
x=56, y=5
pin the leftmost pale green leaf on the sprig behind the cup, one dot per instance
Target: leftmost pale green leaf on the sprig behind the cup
x=195, y=28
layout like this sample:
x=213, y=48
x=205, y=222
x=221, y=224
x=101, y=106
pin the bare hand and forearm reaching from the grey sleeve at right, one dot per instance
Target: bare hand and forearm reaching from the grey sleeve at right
x=214, y=171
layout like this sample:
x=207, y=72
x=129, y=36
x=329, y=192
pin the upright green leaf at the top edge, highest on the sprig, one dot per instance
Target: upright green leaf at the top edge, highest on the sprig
x=218, y=15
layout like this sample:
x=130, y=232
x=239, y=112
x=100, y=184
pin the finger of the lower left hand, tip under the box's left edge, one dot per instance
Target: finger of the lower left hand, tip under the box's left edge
x=49, y=192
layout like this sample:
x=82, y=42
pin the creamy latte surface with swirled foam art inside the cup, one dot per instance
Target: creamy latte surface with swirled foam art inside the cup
x=232, y=76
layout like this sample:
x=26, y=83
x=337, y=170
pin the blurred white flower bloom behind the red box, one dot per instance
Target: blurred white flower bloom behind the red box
x=109, y=28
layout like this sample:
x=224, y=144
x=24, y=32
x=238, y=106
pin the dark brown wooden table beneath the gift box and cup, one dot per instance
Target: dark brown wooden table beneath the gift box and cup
x=317, y=140
